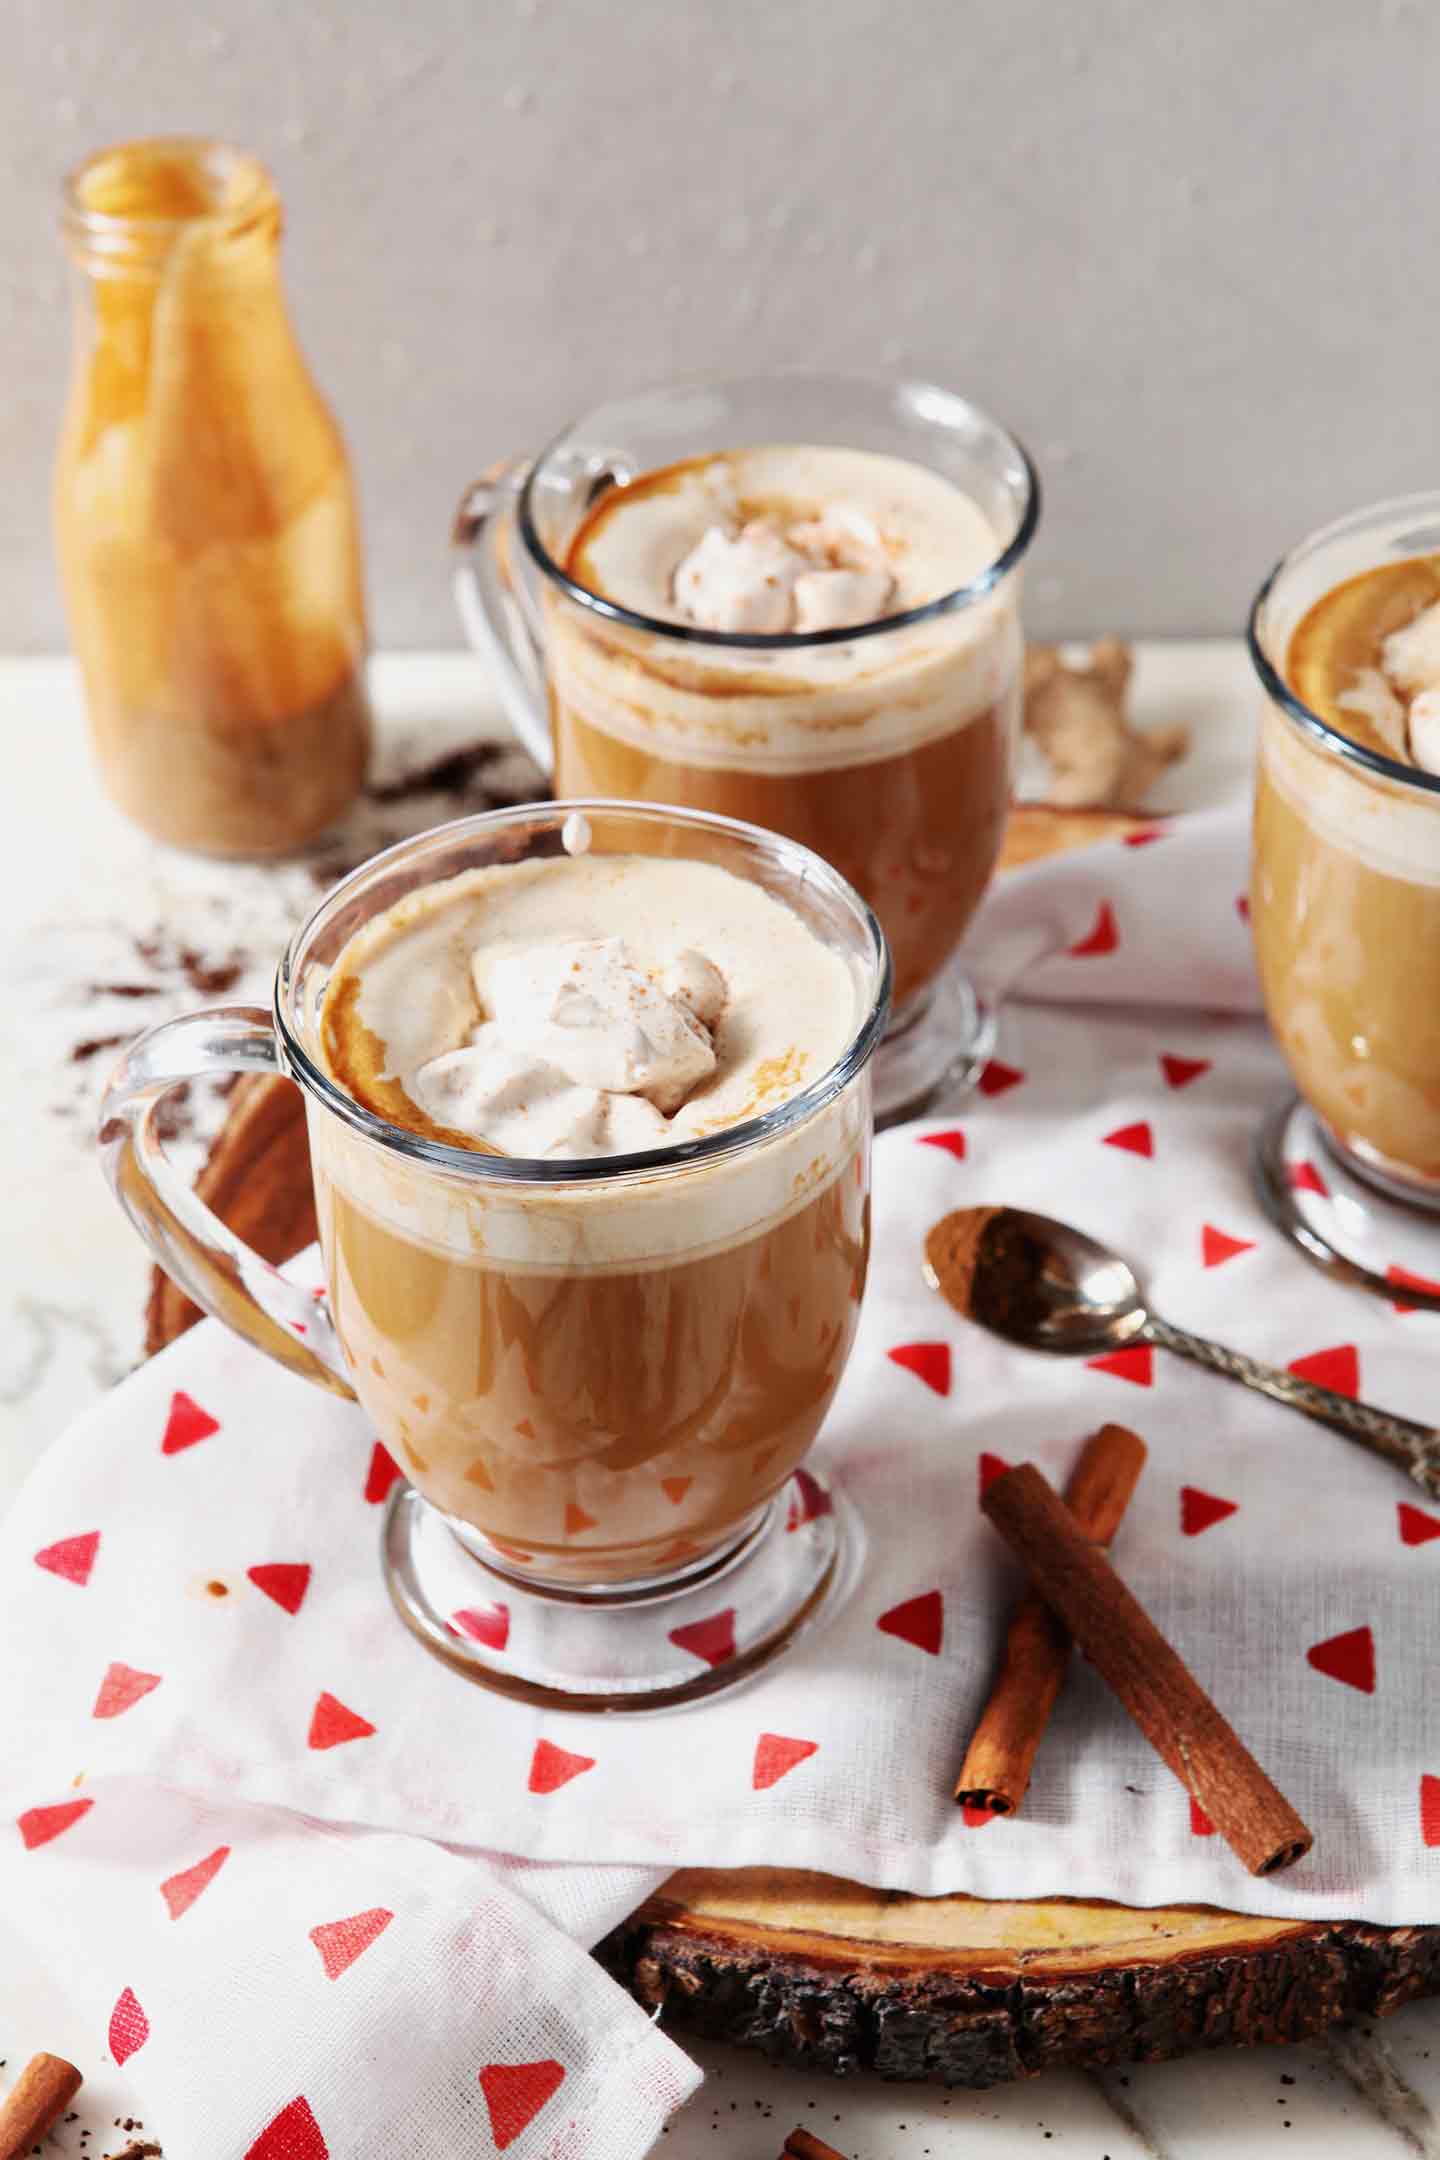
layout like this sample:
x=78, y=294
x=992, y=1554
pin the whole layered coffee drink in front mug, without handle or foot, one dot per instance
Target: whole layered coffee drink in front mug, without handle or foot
x=608, y=1362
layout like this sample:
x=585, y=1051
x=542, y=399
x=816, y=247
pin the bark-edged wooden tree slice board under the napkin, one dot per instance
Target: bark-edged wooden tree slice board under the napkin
x=830, y=1975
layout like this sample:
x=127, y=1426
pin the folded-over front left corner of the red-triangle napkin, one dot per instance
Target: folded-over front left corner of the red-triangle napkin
x=295, y=1990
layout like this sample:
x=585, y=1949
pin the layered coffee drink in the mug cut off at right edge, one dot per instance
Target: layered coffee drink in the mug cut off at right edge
x=1346, y=895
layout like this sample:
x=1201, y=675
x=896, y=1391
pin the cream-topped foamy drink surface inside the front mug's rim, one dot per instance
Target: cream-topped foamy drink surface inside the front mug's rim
x=586, y=1005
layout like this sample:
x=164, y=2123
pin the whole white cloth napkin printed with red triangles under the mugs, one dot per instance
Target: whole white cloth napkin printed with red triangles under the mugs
x=1294, y=1574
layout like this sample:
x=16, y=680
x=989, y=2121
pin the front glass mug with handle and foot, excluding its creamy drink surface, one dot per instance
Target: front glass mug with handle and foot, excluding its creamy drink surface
x=597, y=1375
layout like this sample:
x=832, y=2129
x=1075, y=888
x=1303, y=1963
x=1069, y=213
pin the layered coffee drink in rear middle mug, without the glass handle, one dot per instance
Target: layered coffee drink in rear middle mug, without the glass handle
x=886, y=751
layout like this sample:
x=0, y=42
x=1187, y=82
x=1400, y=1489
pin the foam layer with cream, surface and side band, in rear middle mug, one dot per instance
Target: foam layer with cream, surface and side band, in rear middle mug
x=785, y=539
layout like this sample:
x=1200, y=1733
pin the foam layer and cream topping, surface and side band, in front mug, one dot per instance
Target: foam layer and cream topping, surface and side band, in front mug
x=752, y=1010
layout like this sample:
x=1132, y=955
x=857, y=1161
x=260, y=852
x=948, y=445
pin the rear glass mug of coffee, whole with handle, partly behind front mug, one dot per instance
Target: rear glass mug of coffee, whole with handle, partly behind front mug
x=791, y=602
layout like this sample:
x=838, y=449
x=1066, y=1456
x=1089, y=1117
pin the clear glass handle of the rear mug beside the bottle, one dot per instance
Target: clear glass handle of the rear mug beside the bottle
x=495, y=608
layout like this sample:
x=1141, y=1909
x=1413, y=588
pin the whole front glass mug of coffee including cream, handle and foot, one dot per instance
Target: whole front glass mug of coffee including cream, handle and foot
x=588, y=1107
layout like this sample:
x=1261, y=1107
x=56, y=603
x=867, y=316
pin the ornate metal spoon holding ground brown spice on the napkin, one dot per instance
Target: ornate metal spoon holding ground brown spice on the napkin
x=1046, y=1286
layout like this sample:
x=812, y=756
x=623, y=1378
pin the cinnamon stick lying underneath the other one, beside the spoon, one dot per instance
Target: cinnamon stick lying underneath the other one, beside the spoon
x=1001, y=1757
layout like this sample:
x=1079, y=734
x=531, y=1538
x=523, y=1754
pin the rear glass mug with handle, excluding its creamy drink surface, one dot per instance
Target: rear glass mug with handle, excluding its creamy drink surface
x=886, y=746
